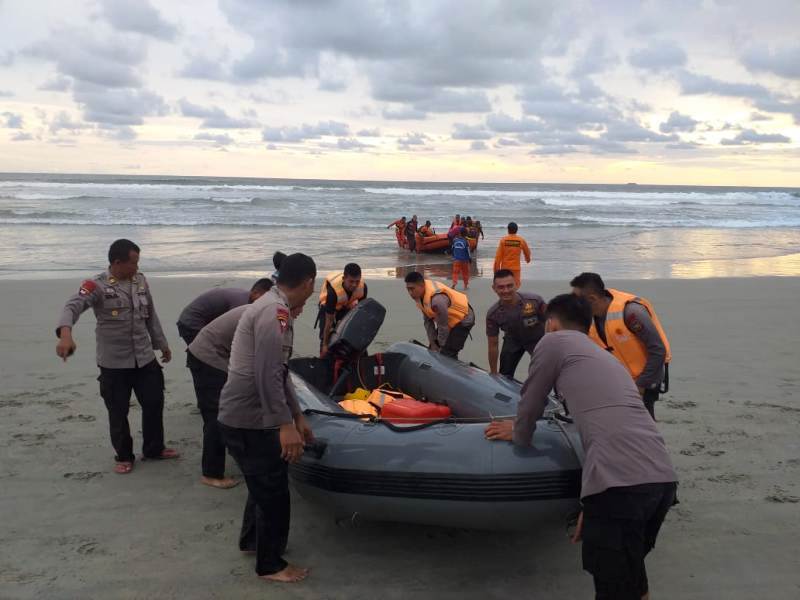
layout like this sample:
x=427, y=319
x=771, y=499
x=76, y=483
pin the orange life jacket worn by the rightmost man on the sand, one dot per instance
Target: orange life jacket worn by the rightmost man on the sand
x=621, y=341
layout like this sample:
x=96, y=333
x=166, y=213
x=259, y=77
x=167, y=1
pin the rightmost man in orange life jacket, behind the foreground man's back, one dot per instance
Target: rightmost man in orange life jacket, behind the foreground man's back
x=627, y=326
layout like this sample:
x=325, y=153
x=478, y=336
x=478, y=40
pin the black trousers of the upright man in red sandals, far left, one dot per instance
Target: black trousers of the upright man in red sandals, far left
x=147, y=383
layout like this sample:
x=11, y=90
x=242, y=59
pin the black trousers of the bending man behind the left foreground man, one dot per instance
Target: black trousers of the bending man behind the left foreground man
x=208, y=384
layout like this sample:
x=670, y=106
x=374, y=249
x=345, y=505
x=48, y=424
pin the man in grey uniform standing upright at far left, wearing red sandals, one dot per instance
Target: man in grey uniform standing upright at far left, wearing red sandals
x=127, y=331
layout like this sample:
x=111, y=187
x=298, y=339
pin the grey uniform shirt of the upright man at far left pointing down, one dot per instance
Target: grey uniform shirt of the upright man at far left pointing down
x=128, y=328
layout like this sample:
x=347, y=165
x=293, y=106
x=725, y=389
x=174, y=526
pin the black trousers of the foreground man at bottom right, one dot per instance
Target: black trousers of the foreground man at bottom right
x=620, y=527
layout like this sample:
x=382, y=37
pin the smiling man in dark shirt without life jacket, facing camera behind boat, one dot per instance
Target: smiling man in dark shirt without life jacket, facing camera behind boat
x=520, y=315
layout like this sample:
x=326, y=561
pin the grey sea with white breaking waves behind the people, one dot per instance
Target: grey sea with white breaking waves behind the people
x=61, y=226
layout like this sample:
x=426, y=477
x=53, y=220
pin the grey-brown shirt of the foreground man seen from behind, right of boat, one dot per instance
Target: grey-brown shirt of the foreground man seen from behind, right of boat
x=622, y=445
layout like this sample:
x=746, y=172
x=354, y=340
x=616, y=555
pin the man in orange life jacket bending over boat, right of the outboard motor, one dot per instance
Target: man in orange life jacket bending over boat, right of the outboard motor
x=447, y=313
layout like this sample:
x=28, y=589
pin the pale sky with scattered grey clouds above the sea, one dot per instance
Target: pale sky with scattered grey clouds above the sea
x=678, y=91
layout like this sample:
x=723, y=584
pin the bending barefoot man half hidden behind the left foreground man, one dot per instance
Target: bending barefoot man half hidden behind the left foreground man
x=207, y=358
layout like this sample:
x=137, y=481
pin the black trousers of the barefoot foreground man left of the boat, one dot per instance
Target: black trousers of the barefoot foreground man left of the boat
x=267, y=512
